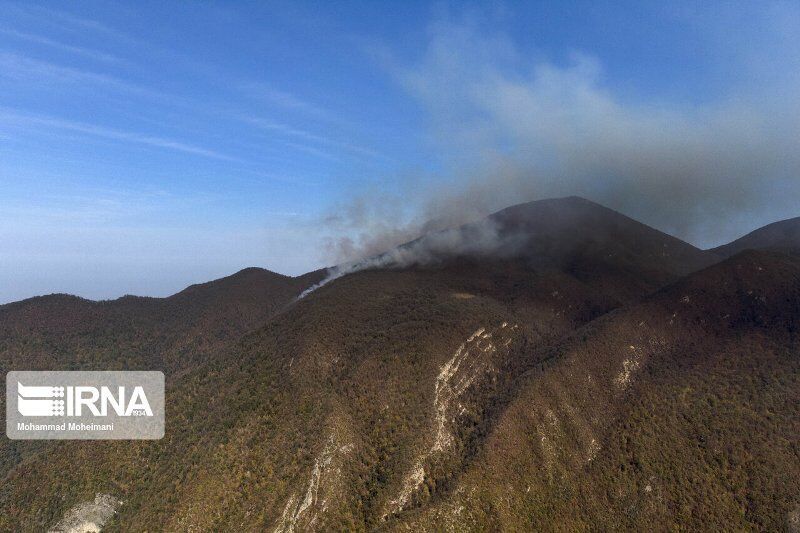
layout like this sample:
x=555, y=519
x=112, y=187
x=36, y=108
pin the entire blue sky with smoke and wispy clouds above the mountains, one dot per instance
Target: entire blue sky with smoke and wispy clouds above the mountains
x=146, y=146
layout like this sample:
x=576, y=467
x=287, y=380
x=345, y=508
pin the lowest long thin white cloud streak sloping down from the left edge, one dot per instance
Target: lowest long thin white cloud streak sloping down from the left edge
x=24, y=119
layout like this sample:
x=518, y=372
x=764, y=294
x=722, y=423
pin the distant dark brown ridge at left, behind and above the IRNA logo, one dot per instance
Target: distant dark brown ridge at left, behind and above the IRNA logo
x=174, y=334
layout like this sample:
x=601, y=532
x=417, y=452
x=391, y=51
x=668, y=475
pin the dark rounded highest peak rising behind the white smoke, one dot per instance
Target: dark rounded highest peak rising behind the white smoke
x=572, y=236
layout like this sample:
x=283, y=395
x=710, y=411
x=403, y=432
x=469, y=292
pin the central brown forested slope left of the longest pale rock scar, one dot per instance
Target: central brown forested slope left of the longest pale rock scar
x=244, y=430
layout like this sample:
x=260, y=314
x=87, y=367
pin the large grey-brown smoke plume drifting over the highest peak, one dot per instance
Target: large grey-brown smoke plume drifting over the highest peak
x=511, y=130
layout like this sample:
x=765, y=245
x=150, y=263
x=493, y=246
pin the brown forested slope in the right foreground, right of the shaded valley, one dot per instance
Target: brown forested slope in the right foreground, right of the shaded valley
x=682, y=411
